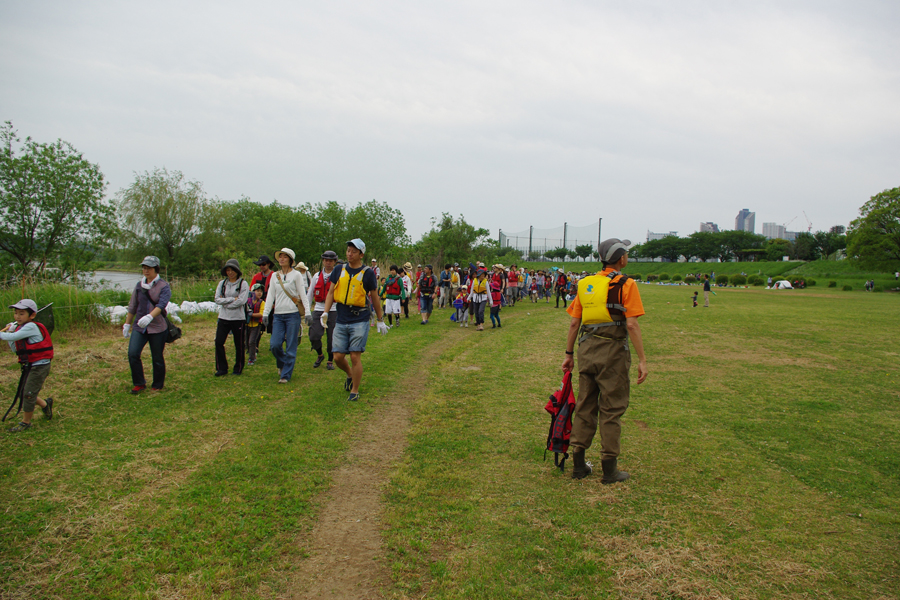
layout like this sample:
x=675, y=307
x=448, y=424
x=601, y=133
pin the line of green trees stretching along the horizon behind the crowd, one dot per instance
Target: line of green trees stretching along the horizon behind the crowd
x=55, y=217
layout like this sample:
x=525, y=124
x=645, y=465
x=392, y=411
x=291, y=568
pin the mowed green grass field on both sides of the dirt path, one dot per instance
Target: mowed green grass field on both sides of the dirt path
x=764, y=452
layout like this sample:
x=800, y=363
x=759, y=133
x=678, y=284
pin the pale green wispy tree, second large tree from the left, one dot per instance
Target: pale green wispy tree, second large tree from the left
x=161, y=213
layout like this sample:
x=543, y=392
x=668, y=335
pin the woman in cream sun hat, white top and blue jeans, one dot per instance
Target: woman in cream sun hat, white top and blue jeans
x=285, y=300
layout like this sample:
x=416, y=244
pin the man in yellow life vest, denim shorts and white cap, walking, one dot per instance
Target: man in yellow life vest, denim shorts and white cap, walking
x=352, y=284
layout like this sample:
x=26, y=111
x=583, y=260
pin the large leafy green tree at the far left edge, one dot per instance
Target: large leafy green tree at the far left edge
x=51, y=205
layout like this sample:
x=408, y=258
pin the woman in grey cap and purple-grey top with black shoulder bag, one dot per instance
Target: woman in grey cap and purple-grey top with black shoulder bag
x=149, y=299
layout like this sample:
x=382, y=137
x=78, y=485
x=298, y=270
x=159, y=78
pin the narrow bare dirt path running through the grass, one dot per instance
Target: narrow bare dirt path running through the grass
x=346, y=541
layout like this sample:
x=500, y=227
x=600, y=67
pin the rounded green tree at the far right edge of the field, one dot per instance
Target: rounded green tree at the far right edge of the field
x=875, y=236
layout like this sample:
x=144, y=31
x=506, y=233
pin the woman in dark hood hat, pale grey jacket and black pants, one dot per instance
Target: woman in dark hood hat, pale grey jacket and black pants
x=231, y=296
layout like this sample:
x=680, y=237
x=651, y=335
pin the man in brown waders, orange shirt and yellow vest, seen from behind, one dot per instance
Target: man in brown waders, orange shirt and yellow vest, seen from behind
x=604, y=316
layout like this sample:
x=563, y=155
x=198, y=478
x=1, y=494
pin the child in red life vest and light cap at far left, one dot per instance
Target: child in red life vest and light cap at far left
x=31, y=341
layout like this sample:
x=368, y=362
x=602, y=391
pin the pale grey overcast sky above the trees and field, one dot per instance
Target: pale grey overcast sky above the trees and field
x=651, y=115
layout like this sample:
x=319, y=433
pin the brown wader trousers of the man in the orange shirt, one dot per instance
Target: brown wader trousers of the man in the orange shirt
x=603, y=392
